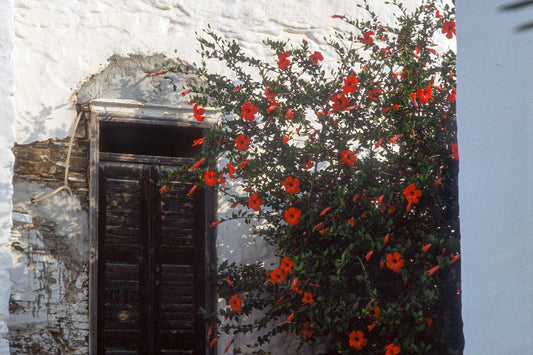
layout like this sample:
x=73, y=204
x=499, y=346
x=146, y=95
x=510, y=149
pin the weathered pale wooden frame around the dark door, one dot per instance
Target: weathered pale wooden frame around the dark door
x=131, y=112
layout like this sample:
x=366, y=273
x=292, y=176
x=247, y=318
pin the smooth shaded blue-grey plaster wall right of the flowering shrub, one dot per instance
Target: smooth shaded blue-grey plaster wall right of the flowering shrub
x=495, y=116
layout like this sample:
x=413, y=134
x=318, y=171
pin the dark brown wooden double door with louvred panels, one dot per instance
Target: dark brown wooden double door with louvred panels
x=151, y=261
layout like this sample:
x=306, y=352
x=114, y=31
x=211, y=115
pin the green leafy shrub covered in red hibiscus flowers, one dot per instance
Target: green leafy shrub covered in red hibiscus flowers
x=351, y=175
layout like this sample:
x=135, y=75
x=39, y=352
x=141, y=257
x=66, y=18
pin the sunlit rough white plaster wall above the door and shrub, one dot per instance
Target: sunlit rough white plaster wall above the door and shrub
x=59, y=44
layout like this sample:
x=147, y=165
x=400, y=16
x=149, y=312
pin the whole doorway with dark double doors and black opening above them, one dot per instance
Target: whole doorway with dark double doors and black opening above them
x=152, y=247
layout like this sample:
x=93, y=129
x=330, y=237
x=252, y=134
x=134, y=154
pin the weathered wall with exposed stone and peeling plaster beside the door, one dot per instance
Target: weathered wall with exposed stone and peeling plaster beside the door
x=49, y=246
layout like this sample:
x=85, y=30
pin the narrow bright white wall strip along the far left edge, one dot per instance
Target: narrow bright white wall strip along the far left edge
x=7, y=137
